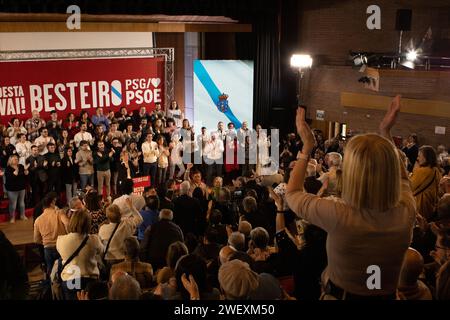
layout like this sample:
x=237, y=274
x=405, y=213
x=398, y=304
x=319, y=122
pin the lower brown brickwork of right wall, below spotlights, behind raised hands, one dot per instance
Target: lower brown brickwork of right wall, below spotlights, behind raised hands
x=327, y=82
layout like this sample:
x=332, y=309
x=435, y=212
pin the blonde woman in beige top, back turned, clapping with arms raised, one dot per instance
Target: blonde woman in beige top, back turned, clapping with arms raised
x=370, y=228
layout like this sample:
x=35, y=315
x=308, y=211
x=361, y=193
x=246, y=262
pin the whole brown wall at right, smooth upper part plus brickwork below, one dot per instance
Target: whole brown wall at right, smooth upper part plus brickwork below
x=329, y=29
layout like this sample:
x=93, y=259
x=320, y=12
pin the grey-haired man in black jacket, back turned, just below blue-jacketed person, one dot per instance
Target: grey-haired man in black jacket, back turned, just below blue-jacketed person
x=157, y=239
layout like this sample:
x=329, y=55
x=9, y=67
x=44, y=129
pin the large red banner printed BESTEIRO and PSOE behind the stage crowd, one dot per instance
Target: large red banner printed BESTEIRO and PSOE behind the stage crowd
x=76, y=85
